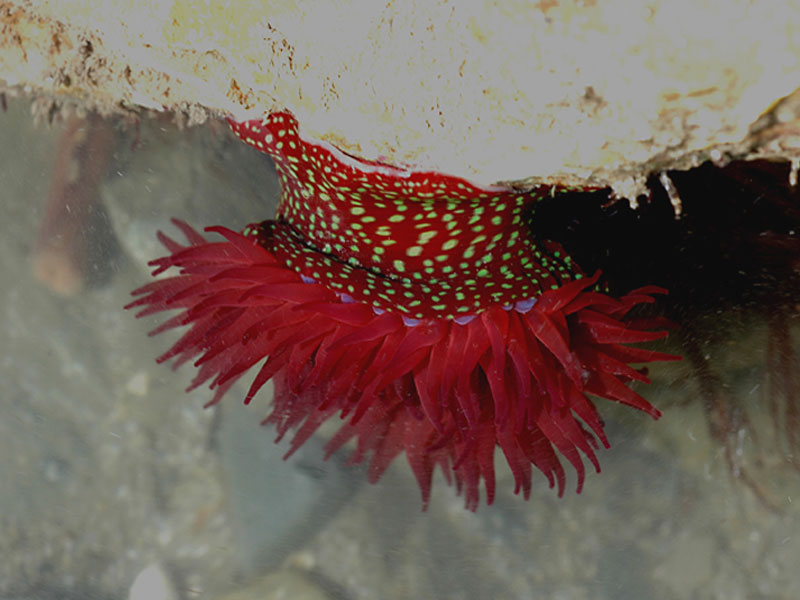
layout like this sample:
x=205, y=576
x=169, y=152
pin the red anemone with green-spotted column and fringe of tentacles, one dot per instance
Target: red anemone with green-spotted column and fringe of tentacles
x=415, y=306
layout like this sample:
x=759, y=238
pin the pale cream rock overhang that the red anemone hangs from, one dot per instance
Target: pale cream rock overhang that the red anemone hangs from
x=582, y=93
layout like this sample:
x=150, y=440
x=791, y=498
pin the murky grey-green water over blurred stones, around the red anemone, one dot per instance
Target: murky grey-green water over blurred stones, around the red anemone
x=110, y=471
